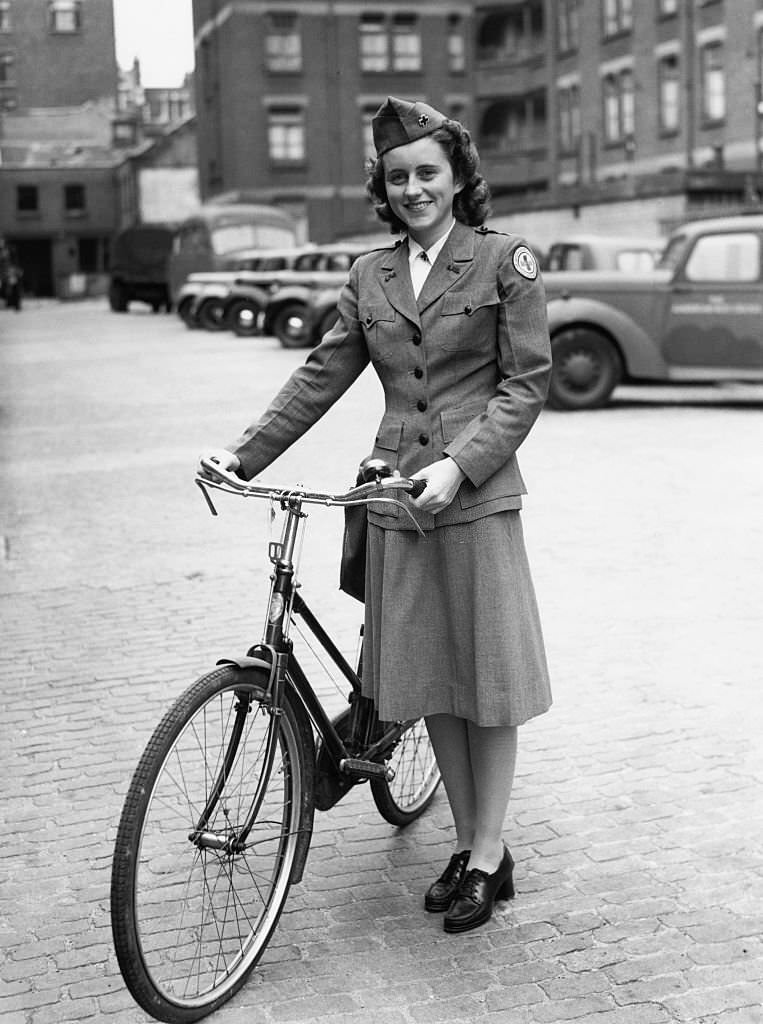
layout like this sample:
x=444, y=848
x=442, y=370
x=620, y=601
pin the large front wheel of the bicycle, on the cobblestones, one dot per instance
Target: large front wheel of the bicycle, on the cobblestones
x=190, y=923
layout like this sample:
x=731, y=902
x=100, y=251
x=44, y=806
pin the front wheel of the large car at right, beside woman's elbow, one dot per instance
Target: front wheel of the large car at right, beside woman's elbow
x=586, y=370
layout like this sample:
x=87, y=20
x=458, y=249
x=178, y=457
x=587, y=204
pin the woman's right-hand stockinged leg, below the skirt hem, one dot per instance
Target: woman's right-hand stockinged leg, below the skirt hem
x=493, y=757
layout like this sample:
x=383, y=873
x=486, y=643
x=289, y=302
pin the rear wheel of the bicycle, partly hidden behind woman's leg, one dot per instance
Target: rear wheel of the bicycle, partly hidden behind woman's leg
x=417, y=777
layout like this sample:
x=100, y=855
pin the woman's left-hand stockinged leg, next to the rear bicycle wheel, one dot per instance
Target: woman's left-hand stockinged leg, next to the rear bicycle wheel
x=450, y=737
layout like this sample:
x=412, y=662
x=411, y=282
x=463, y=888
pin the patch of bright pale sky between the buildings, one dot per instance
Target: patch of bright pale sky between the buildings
x=160, y=34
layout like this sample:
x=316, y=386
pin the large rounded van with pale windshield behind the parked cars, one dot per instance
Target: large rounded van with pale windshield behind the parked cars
x=215, y=237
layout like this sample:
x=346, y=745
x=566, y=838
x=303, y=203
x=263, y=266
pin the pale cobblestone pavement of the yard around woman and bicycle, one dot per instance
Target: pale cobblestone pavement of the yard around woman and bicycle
x=637, y=821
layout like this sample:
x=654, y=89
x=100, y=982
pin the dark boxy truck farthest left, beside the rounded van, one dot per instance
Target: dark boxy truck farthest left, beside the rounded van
x=140, y=268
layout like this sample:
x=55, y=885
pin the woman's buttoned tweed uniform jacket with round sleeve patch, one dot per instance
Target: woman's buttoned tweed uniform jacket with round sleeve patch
x=465, y=370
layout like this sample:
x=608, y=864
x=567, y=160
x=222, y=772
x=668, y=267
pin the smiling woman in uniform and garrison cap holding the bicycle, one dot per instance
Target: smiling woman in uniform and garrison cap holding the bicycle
x=454, y=321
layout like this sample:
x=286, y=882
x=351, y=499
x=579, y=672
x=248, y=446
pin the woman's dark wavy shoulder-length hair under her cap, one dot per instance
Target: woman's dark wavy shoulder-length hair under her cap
x=471, y=206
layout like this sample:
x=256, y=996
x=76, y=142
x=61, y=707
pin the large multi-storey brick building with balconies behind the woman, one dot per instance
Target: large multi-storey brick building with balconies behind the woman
x=597, y=112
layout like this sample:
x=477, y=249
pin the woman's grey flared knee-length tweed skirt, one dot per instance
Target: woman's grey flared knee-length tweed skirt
x=452, y=624
